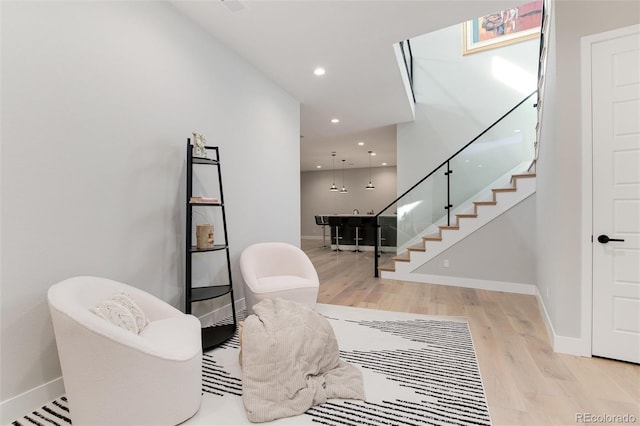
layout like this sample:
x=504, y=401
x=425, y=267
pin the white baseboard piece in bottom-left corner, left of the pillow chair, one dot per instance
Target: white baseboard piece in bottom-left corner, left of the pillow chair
x=28, y=401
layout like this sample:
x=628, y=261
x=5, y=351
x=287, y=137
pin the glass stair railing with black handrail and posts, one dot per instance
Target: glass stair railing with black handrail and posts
x=488, y=161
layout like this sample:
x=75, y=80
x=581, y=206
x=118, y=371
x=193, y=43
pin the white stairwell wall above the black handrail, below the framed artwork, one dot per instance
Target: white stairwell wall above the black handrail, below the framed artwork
x=457, y=98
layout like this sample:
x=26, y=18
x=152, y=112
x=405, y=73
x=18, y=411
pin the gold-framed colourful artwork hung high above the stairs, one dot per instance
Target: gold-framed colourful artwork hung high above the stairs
x=502, y=28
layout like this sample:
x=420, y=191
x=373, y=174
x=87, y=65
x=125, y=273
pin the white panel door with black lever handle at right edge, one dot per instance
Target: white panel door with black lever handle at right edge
x=615, y=66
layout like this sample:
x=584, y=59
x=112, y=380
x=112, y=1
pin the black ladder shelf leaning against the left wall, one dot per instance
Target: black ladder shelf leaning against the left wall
x=214, y=335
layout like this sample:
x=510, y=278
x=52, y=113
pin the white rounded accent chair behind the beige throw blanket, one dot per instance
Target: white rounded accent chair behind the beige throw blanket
x=278, y=270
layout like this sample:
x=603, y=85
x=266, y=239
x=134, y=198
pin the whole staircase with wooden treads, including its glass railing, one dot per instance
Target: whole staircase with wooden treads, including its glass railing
x=475, y=185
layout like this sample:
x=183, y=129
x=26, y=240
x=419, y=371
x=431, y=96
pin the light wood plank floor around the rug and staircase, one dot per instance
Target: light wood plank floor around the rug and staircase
x=525, y=381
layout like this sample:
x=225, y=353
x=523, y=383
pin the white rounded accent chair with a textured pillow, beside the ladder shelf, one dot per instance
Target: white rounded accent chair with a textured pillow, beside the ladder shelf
x=113, y=376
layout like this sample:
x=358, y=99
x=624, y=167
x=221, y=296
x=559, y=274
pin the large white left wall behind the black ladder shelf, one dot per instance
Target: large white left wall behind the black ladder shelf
x=98, y=99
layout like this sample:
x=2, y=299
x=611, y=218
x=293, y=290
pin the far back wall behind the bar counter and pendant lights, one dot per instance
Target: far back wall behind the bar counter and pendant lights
x=316, y=199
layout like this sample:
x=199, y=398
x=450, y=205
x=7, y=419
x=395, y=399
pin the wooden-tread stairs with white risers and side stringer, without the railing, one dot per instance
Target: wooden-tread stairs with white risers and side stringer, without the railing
x=482, y=212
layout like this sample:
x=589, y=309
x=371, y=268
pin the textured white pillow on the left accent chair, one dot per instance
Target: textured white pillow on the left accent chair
x=122, y=311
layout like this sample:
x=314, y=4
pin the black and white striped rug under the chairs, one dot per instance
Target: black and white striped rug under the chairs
x=417, y=370
